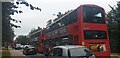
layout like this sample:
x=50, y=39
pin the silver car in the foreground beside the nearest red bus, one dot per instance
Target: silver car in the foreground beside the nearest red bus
x=71, y=51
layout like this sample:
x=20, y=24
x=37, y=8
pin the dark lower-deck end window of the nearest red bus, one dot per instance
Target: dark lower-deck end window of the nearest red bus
x=94, y=34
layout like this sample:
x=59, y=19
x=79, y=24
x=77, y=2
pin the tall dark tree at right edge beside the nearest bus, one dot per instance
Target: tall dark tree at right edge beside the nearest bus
x=113, y=18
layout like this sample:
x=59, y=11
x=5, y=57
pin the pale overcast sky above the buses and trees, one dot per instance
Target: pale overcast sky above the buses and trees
x=34, y=18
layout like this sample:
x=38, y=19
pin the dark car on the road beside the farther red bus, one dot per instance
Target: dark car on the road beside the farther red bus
x=29, y=49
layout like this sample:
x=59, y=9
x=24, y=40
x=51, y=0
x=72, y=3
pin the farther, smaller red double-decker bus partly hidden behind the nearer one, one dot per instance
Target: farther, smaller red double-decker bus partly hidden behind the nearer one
x=36, y=40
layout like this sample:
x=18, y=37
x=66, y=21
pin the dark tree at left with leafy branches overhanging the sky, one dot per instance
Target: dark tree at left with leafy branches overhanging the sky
x=9, y=8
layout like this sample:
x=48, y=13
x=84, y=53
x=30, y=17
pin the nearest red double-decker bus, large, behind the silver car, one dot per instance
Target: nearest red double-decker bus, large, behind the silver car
x=85, y=25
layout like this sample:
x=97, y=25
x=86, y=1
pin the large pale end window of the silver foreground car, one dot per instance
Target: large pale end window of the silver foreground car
x=80, y=52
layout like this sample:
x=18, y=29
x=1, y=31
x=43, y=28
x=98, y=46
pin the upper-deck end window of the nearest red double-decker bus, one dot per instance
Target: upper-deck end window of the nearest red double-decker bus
x=93, y=14
